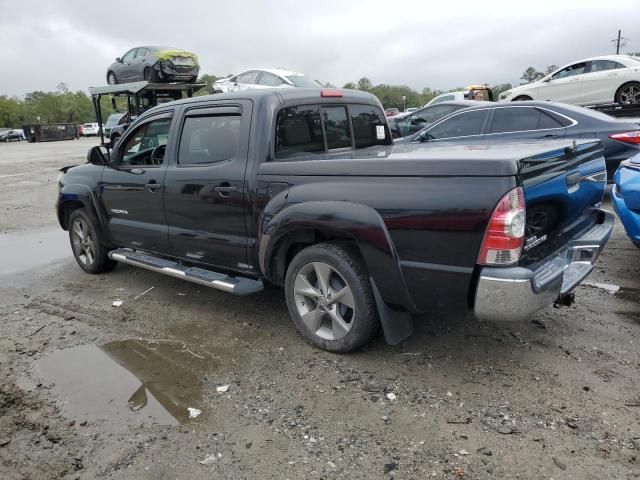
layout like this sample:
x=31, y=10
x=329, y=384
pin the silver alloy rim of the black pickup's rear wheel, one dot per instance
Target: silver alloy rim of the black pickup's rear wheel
x=324, y=300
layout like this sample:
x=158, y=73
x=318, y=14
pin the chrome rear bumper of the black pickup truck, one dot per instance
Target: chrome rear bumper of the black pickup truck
x=516, y=293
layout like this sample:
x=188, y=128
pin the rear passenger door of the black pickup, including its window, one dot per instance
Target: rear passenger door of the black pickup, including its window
x=205, y=186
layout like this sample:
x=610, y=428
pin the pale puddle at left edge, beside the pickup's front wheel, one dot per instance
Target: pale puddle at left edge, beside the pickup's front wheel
x=22, y=251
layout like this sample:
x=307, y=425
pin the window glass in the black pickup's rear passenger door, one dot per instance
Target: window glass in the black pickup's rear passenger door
x=209, y=139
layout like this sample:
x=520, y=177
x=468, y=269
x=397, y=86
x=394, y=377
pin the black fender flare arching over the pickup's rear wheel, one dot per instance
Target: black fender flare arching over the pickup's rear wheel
x=359, y=222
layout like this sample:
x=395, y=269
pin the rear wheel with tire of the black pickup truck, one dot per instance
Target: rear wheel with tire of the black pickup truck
x=347, y=272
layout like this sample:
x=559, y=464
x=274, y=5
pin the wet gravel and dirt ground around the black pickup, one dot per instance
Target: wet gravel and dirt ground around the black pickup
x=93, y=390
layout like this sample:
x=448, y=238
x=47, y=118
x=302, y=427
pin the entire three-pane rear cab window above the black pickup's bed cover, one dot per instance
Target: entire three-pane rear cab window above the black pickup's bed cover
x=309, y=130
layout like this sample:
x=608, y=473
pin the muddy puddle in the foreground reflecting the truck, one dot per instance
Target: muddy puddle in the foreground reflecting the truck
x=127, y=383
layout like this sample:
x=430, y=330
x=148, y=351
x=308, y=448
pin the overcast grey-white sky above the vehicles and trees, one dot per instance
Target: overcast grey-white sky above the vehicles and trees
x=421, y=44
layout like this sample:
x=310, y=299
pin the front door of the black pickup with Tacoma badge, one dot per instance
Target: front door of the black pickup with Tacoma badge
x=131, y=187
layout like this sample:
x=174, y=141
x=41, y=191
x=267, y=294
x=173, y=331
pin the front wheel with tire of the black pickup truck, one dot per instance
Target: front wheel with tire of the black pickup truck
x=96, y=262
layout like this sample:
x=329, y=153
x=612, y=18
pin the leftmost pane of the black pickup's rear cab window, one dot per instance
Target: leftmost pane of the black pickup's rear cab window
x=299, y=131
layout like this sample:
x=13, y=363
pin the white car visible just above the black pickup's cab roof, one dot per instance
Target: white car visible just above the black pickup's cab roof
x=264, y=78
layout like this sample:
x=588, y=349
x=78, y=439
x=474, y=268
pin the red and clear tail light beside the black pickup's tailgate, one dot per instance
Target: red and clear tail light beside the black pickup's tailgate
x=504, y=237
